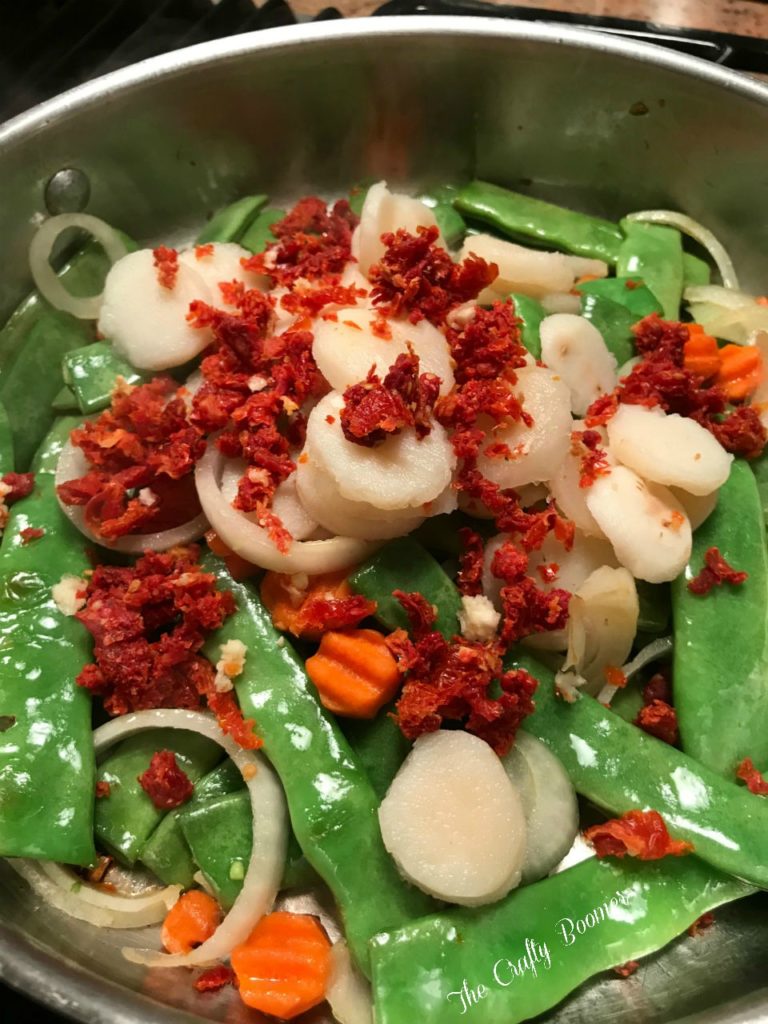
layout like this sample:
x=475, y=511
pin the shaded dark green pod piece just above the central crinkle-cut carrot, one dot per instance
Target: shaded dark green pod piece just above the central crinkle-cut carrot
x=403, y=565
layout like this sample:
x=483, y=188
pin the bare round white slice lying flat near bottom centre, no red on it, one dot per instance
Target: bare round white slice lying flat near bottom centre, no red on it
x=453, y=821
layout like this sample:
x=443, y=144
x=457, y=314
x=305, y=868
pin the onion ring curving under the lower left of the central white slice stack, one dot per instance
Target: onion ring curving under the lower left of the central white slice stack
x=254, y=544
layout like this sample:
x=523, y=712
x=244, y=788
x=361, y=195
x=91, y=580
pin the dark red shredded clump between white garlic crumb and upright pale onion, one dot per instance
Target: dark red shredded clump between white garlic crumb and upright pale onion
x=526, y=609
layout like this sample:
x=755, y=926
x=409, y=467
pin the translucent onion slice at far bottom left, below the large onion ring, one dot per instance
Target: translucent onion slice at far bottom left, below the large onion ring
x=64, y=890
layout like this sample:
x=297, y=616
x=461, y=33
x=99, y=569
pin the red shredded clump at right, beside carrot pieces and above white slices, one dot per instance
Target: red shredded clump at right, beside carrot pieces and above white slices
x=662, y=379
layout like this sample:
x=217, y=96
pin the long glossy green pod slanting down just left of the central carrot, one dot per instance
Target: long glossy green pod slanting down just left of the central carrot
x=332, y=804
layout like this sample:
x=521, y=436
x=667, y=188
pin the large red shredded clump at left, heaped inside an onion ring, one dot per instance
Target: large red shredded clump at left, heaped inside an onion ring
x=144, y=443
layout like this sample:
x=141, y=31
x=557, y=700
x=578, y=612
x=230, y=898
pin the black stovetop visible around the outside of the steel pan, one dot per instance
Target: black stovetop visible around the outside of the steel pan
x=76, y=40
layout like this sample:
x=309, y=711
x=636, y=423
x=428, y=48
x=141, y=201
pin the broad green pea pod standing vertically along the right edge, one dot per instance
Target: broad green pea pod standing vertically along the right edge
x=721, y=689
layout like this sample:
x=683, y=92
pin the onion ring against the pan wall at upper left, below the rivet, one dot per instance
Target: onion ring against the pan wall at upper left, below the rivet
x=48, y=281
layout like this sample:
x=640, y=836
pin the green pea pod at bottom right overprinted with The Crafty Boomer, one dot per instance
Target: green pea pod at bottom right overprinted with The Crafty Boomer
x=515, y=960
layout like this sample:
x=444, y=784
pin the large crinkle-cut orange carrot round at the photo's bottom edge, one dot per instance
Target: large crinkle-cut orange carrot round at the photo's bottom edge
x=284, y=966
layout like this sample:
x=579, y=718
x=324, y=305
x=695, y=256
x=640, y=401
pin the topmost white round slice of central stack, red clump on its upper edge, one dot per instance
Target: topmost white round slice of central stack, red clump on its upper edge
x=403, y=473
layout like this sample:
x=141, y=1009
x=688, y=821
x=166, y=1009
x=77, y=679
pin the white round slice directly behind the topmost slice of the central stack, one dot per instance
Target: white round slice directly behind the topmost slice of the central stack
x=347, y=349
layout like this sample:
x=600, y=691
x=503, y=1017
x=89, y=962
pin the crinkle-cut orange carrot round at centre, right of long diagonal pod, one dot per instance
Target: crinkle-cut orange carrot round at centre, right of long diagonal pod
x=355, y=672
